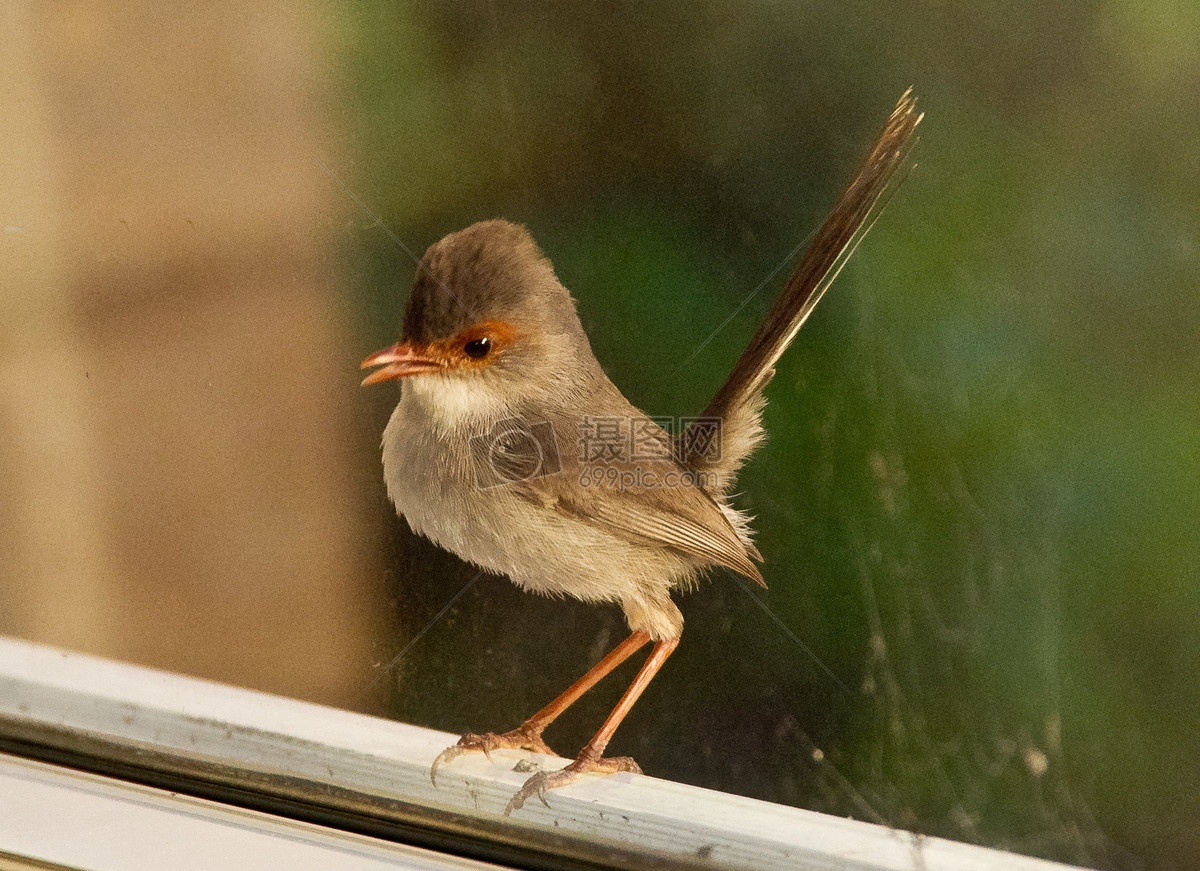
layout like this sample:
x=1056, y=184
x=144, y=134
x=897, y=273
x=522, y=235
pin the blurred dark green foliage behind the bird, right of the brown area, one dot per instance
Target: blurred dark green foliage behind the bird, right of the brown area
x=980, y=498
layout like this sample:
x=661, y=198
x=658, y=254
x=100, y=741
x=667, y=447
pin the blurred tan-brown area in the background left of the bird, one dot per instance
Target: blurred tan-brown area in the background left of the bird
x=176, y=415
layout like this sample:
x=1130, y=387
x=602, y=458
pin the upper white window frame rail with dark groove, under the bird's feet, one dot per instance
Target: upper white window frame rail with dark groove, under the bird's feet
x=371, y=777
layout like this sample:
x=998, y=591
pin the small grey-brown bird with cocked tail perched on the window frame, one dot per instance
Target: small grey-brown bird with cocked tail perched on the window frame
x=512, y=449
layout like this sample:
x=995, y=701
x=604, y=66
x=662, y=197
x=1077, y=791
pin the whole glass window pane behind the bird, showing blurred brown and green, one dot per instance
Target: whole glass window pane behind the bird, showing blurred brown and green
x=976, y=504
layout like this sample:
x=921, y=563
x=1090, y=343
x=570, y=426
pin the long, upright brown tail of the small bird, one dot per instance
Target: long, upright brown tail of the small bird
x=739, y=404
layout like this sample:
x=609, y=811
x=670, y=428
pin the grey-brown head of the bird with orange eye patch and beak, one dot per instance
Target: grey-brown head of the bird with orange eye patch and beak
x=487, y=303
